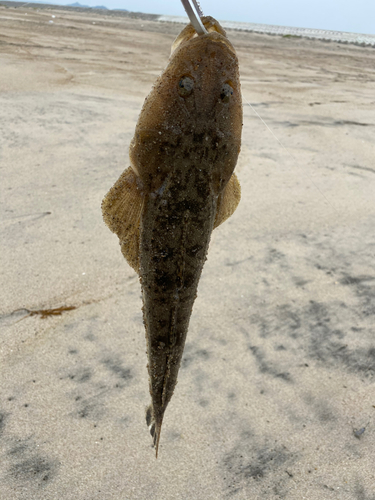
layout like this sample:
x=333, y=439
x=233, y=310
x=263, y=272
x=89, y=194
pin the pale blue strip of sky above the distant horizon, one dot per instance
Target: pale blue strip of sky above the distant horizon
x=357, y=16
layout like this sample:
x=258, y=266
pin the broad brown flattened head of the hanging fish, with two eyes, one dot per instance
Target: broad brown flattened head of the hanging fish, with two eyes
x=193, y=114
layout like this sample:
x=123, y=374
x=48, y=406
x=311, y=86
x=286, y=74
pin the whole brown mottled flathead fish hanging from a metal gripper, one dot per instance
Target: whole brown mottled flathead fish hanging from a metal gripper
x=180, y=185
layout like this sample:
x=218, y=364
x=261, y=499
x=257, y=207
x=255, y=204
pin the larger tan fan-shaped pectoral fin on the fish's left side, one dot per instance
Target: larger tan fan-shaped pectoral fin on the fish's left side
x=121, y=208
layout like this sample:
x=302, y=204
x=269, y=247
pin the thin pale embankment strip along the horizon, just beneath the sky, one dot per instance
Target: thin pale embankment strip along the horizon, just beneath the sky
x=359, y=39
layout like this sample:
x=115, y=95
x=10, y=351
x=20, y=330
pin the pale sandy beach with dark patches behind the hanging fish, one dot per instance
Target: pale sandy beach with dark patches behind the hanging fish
x=276, y=393
